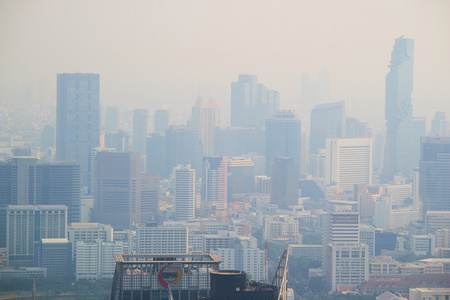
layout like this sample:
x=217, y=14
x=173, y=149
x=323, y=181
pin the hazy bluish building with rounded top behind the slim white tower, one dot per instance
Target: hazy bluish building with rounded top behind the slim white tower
x=182, y=146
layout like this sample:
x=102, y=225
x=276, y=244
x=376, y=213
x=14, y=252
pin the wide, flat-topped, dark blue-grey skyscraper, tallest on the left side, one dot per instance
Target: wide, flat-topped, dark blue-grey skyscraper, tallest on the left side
x=77, y=119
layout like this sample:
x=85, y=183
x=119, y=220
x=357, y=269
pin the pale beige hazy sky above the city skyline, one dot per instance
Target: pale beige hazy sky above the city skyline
x=151, y=53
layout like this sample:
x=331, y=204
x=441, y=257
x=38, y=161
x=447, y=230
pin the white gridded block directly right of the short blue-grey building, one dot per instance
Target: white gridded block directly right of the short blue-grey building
x=95, y=260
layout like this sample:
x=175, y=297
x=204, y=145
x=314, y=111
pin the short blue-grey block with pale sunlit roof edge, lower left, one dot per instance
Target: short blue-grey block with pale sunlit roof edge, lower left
x=55, y=254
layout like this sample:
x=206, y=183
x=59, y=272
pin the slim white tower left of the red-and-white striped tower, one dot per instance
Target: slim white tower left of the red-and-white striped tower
x=184, y=192
